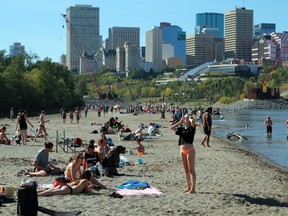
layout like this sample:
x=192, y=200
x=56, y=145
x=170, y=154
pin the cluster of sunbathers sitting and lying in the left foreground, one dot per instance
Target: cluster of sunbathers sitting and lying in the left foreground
x=81, y=177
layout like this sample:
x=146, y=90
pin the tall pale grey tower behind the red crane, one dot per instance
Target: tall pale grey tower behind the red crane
x=82, y=34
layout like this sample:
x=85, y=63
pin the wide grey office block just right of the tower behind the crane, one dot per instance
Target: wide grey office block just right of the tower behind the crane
x=119, y=35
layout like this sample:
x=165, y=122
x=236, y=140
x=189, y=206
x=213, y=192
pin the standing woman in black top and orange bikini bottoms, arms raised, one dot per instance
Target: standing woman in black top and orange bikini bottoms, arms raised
x=187, y=150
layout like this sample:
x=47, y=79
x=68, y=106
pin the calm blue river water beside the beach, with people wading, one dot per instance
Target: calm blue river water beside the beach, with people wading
x=274, y=148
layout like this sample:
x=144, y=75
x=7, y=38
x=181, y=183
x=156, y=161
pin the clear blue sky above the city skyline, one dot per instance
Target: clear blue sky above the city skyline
x=38, y=24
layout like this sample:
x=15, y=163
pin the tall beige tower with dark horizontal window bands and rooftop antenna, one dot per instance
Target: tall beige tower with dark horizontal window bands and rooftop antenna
x=239, y=34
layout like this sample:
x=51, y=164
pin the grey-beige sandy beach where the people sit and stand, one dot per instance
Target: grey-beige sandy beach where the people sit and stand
x=230, y=180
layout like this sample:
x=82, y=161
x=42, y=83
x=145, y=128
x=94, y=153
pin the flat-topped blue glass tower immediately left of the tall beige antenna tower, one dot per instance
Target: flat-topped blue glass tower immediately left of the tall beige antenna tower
x=210, y=23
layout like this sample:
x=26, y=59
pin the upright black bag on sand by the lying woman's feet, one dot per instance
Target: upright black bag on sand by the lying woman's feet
x=27, y=201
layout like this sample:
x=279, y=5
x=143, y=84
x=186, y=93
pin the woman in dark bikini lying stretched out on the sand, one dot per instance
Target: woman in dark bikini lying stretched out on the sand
x=84, y=185
